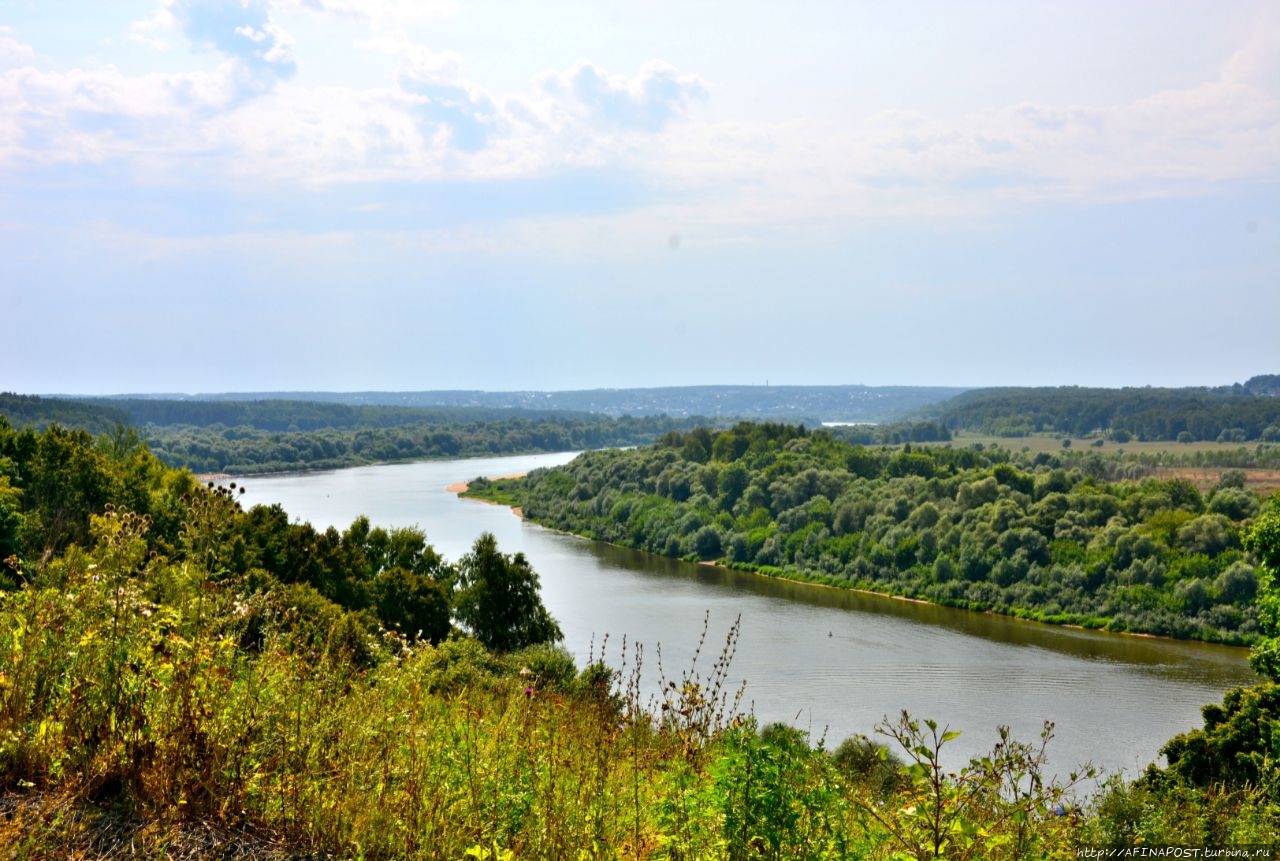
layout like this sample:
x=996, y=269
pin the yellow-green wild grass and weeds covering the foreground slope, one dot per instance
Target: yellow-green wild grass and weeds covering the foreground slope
x=145, y=703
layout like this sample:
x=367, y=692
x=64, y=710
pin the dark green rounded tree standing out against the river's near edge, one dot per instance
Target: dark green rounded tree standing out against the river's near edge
x=499, y=599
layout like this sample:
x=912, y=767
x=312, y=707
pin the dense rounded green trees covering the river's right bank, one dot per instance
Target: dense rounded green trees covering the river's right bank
x=1062, y=538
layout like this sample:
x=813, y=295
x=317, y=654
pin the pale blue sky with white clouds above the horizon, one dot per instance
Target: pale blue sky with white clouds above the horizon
x=208, y=196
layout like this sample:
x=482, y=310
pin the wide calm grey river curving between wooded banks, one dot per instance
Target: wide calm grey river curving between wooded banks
x=826, y=661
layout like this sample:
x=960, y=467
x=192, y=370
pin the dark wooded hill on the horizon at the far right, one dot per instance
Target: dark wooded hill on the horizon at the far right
x=1229, y=414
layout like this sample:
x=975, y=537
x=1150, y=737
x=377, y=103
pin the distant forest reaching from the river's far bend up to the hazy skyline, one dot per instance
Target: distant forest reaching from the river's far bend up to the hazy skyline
x=246, y=434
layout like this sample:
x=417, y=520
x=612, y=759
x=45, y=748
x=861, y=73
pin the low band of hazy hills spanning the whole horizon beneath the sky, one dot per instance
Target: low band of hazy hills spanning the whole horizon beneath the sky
x=1240, y=413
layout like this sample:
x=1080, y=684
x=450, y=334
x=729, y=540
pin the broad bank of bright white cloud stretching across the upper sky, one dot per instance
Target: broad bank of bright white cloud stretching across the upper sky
x=252, y=122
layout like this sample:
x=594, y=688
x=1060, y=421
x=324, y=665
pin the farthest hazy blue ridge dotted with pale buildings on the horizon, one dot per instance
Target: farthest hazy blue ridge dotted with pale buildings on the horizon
x=812, y=405
